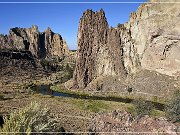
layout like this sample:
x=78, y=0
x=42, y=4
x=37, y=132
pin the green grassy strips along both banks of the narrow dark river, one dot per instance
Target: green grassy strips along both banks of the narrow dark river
x=99, y=105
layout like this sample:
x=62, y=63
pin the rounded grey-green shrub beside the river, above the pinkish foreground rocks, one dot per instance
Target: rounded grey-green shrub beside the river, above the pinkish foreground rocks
x=142, y=107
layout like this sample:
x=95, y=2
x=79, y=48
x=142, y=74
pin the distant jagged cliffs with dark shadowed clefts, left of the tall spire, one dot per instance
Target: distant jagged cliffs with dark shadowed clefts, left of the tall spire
x=41, y=45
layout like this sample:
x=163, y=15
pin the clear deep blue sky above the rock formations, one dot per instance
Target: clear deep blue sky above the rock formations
x=61, y=18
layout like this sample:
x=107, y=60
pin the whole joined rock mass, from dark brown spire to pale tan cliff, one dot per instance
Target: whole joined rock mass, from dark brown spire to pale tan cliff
x=150, y=40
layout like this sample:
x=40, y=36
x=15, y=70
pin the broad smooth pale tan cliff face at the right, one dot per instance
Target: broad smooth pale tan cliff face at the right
x=155, y=30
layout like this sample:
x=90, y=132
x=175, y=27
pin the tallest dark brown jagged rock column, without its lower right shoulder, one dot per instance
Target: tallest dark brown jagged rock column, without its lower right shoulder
x=92, y=35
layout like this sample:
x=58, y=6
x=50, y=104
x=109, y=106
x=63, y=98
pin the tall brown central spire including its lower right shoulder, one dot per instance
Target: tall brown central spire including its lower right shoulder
x=96, y=53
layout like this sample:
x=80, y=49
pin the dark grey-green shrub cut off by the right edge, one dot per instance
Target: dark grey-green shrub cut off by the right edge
x=172, y=108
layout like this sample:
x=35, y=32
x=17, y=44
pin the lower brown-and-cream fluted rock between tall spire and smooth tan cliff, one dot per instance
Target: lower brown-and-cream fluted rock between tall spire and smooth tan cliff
x=122, y=51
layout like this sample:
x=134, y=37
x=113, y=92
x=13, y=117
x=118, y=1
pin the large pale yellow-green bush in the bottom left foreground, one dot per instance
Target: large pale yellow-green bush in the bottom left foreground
x=32, y=118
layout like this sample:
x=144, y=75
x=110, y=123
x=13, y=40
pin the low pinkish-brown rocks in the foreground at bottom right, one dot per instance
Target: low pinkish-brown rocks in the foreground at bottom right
x=123, y=122
